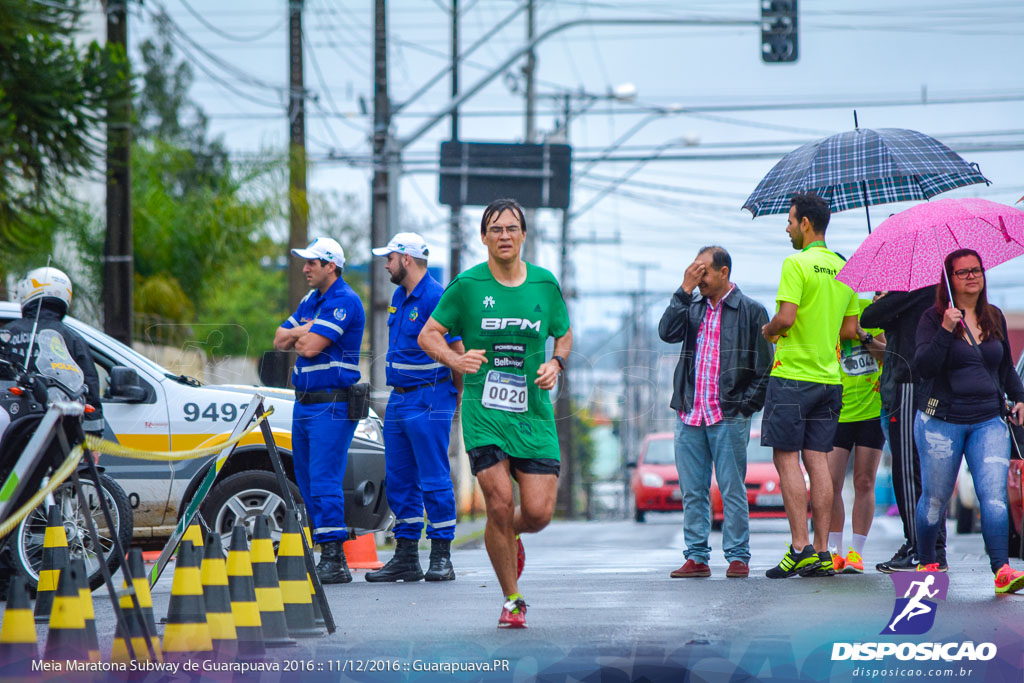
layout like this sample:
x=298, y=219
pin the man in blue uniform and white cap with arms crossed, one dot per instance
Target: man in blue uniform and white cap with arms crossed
x=327, y=333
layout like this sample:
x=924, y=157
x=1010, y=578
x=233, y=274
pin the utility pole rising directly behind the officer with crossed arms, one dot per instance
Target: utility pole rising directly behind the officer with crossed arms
x=298, y=207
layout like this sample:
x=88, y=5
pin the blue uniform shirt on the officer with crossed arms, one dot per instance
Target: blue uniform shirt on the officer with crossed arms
x=337, y=316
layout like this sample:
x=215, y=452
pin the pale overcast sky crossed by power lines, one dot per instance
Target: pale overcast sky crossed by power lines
x=862, y=55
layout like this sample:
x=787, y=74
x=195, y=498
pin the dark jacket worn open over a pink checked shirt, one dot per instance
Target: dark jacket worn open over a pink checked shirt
x=746, y=357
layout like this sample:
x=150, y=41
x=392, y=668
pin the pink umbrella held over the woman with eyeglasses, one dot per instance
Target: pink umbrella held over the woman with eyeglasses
x=907, y=251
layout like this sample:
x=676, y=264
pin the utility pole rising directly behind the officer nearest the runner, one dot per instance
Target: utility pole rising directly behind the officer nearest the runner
x=380, y=201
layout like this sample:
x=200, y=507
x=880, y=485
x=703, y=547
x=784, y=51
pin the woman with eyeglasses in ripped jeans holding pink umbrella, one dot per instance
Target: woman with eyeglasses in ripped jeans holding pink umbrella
x=966, y=370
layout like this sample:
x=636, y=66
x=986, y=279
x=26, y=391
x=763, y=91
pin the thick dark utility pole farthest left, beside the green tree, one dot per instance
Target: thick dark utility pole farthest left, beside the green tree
x=119, y=272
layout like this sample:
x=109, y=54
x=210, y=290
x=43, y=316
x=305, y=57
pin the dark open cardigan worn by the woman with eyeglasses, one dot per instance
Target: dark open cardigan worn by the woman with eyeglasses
x=934, y=394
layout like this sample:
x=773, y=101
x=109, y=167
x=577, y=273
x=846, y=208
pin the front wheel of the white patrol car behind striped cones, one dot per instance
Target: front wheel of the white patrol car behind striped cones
x=241, y=498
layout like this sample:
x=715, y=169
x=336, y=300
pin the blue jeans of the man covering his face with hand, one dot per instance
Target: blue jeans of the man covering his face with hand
x=723, y=445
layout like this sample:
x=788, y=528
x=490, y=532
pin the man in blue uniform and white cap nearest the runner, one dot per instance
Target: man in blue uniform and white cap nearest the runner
x=418, y=421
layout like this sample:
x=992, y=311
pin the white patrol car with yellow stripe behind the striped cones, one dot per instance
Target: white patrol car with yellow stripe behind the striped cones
x=149, y=408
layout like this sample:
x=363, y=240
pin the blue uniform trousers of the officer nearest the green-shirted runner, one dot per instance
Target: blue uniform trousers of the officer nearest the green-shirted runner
x=417, y=428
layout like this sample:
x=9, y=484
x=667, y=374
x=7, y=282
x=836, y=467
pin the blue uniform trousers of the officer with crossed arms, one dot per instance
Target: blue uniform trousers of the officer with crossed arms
x=321, y=437
